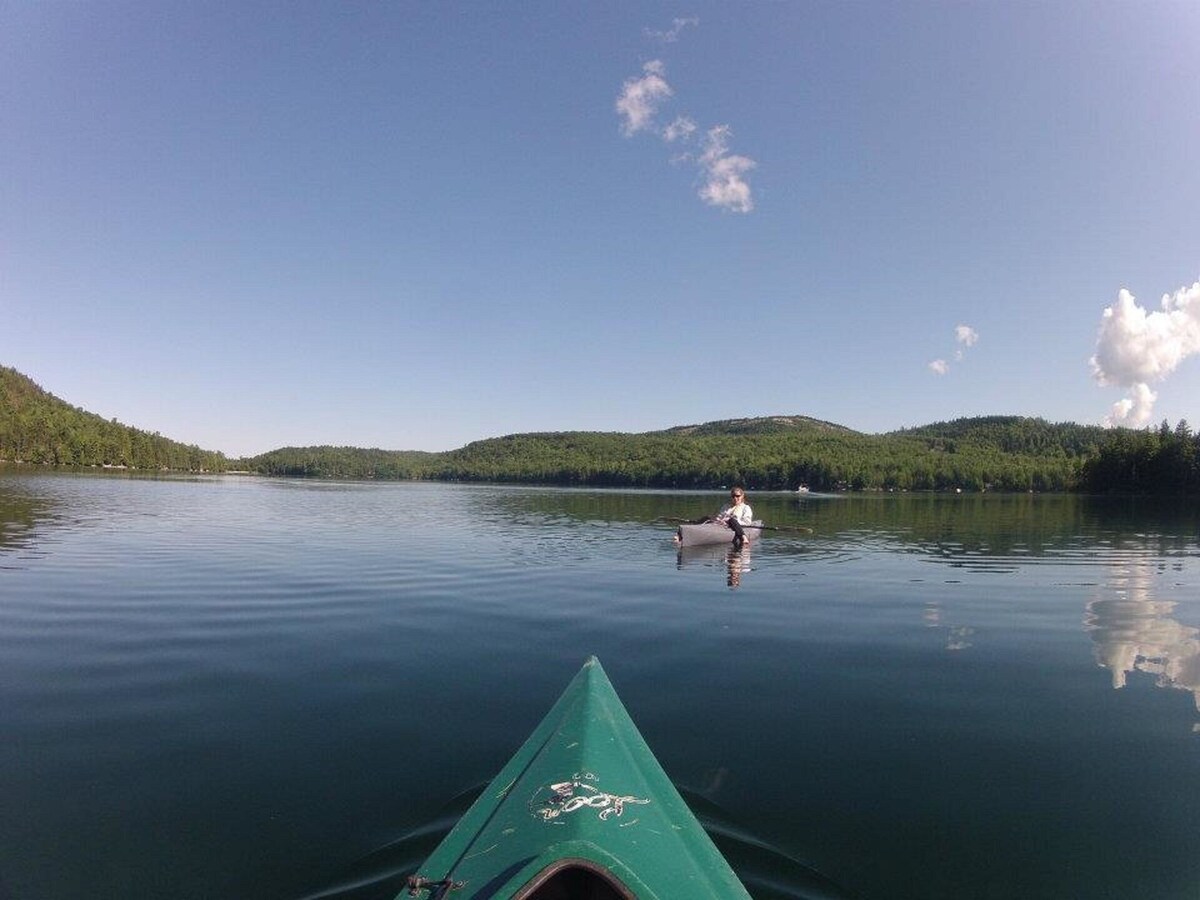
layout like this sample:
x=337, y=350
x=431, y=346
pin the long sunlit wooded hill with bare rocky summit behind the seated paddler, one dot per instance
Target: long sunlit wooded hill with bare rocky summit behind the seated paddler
x=777, y=453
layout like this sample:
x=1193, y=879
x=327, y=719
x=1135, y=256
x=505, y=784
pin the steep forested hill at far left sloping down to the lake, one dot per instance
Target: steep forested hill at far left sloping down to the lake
x=38, y=428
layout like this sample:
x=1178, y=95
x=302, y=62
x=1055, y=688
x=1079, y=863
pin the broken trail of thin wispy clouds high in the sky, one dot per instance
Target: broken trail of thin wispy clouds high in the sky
x=723, y=175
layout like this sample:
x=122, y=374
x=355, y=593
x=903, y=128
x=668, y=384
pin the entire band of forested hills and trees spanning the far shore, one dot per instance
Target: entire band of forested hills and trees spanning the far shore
x=1011, y=454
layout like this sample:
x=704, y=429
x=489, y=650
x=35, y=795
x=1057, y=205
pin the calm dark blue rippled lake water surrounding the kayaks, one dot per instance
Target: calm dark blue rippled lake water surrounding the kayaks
x=242, y=688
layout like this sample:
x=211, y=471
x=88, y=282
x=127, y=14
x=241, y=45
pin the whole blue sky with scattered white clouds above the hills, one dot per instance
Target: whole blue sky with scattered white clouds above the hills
x=413, y=226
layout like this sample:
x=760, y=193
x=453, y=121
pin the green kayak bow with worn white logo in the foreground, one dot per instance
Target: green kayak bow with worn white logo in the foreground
x=583, y=811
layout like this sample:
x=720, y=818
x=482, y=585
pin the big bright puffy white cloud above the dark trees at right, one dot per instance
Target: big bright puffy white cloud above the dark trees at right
x=1137, y=347
